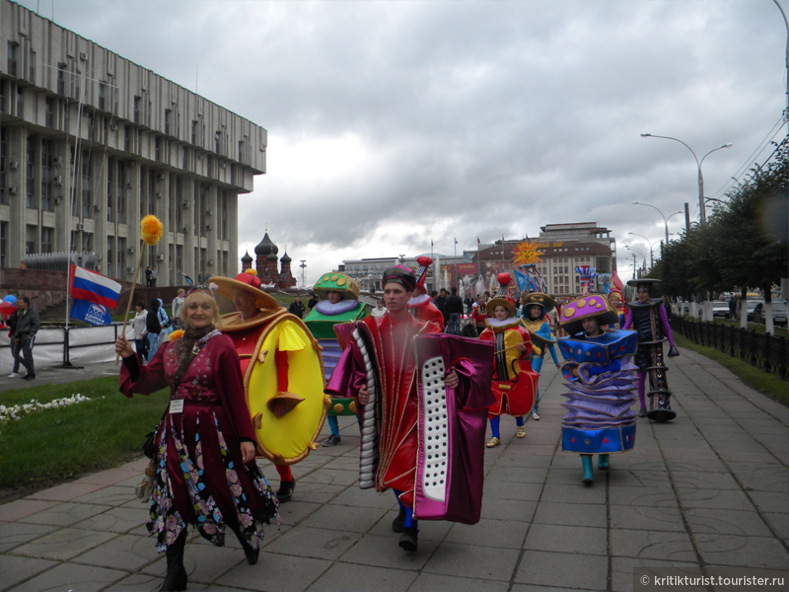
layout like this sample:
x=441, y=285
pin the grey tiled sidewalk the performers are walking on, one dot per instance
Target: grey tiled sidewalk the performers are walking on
x=709, y=489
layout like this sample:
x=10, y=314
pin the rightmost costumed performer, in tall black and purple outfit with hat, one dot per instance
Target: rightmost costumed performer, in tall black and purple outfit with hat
x=648, y=318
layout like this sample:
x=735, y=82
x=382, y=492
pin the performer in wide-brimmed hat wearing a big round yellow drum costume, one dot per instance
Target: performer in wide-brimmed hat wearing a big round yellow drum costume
x=268, y=339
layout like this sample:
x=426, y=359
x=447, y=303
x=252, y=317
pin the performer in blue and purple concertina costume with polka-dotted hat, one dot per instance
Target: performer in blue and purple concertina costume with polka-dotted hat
x=601, y=378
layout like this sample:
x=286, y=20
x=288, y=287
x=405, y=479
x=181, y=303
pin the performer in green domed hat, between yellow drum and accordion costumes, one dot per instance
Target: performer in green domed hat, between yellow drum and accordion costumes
x=339, y=303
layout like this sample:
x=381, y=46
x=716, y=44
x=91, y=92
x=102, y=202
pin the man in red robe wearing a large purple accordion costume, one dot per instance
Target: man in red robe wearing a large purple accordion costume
x=381, y=367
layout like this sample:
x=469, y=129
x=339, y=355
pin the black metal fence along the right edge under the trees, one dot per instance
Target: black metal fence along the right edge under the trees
x=760, y=349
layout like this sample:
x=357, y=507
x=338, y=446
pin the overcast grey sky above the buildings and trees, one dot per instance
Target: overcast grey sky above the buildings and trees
x=394, y=123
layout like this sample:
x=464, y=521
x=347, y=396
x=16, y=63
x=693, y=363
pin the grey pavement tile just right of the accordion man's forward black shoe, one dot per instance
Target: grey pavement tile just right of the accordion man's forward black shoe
x=485, y=563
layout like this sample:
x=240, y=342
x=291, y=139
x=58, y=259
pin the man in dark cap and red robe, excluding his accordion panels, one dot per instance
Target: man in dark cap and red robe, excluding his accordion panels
x=398, y=447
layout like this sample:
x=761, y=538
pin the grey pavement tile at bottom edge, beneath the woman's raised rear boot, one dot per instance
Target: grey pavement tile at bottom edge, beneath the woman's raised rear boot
x=275, y=572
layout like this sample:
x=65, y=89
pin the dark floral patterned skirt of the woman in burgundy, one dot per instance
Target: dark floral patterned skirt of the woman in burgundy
x=201, y=480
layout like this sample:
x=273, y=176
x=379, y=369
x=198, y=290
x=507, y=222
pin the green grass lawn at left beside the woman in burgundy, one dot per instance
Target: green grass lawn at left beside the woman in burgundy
x=51, y=446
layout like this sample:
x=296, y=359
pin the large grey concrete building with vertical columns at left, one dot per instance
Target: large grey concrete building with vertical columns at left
x=88, y=133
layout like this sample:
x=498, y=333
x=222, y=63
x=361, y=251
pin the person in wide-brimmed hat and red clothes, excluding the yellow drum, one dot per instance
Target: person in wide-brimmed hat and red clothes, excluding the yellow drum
x=255, y=310
